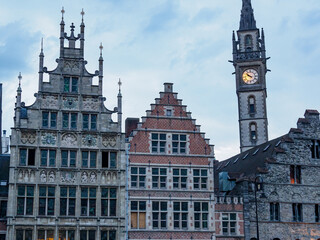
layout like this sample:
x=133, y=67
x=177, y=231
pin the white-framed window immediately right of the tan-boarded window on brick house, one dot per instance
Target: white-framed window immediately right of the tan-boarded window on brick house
x=159, y=215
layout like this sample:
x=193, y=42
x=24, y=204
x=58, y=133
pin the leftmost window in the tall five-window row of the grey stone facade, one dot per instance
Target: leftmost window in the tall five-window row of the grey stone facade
x=25, y=200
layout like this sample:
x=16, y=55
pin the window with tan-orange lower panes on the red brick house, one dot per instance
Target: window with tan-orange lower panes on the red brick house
x=138, y=214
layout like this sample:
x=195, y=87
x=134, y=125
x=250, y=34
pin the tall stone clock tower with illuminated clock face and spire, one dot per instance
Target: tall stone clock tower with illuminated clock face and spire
x=249, y=60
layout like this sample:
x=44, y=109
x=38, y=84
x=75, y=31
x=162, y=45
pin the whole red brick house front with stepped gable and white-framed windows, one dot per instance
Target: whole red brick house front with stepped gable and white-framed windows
x=170, y=174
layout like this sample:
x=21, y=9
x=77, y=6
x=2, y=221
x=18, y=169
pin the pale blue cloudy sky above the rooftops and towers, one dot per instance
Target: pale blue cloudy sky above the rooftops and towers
x=186, y=42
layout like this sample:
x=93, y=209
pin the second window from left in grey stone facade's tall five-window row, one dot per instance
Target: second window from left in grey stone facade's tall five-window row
x=46, y=200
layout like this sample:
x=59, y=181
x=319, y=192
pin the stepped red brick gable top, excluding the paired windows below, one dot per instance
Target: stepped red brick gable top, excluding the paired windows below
x=169, y=114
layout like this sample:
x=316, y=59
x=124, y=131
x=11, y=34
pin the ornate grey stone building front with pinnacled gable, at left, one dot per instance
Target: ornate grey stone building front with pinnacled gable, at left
x=67, y=169
